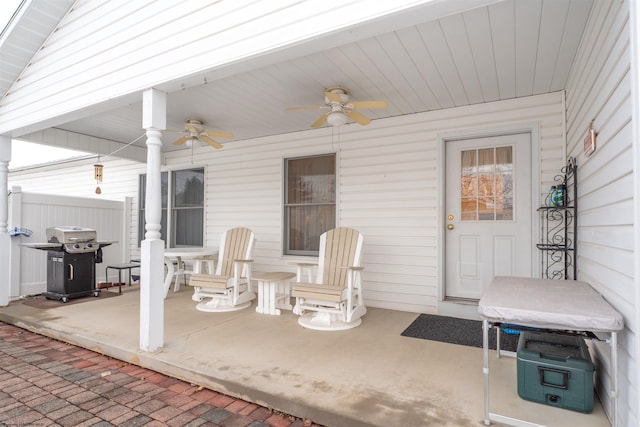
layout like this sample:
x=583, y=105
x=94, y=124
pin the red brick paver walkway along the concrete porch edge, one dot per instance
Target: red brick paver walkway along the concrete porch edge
x=47, y=382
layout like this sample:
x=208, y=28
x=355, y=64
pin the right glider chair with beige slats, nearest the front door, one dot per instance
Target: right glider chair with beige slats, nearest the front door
x=333, y=301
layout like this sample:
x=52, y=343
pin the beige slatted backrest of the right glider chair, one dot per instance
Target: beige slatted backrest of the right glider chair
x=341, y=251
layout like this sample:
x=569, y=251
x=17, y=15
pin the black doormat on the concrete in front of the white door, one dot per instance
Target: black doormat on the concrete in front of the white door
x=457, y=331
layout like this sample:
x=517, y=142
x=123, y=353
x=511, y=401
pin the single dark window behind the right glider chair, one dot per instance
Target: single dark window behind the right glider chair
x=309, y=202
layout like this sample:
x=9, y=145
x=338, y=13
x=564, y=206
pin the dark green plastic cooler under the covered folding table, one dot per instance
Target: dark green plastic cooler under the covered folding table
x=555, y=370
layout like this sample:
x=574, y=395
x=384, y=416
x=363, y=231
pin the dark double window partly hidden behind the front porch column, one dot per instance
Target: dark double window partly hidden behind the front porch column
x=184, y=210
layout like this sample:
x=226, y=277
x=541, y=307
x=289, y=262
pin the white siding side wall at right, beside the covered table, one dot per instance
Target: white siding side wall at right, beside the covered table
x=599, y=90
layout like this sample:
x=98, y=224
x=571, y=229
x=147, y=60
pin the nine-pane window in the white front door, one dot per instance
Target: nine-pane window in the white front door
x=487, y=184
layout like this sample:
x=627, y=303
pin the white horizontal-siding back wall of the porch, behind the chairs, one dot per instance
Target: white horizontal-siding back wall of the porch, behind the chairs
x=387, y=188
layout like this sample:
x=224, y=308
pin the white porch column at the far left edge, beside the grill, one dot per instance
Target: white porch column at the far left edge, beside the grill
x=5, y=239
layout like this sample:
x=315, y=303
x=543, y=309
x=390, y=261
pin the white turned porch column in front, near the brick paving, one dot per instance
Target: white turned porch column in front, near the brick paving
x=152, y=248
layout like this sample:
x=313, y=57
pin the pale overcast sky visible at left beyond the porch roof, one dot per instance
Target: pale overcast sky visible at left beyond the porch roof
x=24, y=153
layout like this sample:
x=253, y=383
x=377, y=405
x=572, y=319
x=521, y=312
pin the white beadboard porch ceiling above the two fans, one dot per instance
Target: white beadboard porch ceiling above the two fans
x=507, y=49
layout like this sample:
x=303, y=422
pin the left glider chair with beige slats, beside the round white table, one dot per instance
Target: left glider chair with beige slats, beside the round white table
x=229, y=289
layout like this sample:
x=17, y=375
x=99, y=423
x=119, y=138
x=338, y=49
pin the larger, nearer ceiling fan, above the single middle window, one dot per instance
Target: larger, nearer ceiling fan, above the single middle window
x=340, y=109
